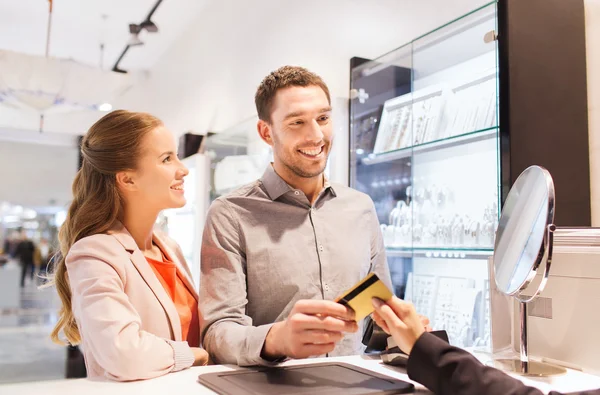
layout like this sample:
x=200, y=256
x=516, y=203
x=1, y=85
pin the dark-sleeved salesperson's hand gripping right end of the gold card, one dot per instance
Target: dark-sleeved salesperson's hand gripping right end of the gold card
x=399, y=319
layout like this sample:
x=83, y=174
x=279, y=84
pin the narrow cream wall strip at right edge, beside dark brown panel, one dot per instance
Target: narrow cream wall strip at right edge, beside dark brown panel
x=592, y=10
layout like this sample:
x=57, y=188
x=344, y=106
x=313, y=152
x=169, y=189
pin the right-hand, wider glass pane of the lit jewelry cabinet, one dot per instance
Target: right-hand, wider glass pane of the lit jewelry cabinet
x=455, y=182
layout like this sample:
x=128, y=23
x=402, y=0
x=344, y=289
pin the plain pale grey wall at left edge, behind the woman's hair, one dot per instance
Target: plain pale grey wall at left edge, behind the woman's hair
x=33, y=174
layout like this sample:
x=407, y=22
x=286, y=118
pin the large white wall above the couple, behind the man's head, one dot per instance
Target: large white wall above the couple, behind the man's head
x=208, y=79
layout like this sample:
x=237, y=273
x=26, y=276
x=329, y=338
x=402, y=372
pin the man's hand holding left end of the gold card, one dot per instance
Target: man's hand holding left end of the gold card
x=312, y=328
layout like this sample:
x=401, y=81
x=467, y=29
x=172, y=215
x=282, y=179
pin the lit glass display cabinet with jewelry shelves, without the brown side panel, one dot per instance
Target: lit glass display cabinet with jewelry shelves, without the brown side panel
x=425, y=146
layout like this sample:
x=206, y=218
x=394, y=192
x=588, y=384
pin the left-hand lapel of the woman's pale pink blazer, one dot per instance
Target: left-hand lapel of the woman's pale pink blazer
x=143, y=267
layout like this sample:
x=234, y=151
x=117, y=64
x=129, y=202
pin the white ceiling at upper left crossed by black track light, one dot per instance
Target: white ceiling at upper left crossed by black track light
x=78, y=28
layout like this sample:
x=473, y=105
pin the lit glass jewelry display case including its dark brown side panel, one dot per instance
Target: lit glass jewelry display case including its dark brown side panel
x=441, y=127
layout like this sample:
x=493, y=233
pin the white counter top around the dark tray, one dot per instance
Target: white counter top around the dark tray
x=186, y=381
